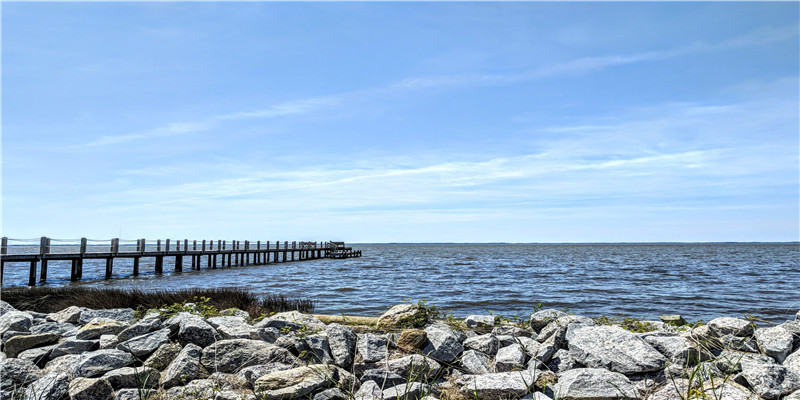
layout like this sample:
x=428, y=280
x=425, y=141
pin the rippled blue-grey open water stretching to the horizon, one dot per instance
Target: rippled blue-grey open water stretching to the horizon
x=698, y=281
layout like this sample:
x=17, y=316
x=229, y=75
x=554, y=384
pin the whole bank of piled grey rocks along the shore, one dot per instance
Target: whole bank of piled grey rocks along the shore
x=187, y=353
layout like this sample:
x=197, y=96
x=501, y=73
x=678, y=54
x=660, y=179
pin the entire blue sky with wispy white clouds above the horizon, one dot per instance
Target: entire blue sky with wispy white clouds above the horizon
x=401, y=122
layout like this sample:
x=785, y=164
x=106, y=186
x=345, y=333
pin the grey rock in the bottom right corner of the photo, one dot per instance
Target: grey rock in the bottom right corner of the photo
x=770, y=381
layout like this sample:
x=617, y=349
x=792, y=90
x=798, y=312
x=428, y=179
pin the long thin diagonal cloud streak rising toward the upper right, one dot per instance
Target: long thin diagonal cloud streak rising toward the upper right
x=578, y=66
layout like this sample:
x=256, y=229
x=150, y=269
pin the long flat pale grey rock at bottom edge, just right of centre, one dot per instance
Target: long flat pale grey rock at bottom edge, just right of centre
x=497, y=386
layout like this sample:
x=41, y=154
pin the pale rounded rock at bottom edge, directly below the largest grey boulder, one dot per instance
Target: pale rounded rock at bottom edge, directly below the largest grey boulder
x=594, y=384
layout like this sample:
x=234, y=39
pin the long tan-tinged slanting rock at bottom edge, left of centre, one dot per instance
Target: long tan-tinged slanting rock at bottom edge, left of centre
x=301, y=381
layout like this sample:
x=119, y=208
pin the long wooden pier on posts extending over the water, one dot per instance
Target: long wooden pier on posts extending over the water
x=219, y=254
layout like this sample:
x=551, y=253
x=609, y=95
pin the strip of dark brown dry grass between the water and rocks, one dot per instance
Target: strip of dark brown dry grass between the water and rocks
x=53, y=299
